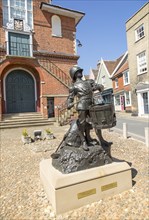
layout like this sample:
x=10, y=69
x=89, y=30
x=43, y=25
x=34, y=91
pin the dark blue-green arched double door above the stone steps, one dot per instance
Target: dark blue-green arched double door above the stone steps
x=20, y=92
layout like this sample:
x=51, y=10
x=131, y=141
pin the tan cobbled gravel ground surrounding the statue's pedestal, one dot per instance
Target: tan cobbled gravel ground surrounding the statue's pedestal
x=22, y=195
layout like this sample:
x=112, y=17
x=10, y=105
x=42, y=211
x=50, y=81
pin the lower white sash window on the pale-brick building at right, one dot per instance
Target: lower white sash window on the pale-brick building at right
x=142, y=64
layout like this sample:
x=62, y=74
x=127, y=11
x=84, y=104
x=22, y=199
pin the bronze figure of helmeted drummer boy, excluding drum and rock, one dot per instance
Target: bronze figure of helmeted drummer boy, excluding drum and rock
x=83, y=90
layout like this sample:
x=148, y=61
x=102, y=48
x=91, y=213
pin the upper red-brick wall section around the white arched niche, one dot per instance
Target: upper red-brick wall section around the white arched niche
x=43, y=39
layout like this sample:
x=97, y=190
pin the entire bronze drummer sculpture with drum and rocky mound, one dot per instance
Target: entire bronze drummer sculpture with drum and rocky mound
x=78, y=150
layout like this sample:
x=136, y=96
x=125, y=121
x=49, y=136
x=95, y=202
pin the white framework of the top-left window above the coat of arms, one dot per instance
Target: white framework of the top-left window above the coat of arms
x=25, y=18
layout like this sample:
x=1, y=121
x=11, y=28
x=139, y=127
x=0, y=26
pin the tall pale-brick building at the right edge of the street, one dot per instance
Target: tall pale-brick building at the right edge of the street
x=137, y=30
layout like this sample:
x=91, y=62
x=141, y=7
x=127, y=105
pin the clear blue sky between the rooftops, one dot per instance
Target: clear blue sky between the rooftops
x=102, y=31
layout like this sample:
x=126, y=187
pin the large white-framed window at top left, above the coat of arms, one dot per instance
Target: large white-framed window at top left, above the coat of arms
x=18, y=9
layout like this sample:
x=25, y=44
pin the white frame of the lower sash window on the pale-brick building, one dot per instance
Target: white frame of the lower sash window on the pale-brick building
x=139, y=63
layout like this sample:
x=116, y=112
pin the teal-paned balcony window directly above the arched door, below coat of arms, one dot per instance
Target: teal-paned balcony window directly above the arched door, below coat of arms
x=19, y=44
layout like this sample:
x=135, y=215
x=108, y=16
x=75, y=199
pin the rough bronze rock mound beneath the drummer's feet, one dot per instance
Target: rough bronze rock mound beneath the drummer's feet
x=72, y=159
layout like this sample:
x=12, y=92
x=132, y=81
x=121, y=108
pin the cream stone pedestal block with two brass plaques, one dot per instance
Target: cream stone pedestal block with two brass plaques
x=71, y=191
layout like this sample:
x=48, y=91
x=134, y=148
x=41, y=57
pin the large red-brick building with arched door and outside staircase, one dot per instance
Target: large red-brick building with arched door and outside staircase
x=37, y=49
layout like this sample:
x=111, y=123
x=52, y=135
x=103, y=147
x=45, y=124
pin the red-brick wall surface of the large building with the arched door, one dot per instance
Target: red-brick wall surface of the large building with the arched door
x=59, y=50
